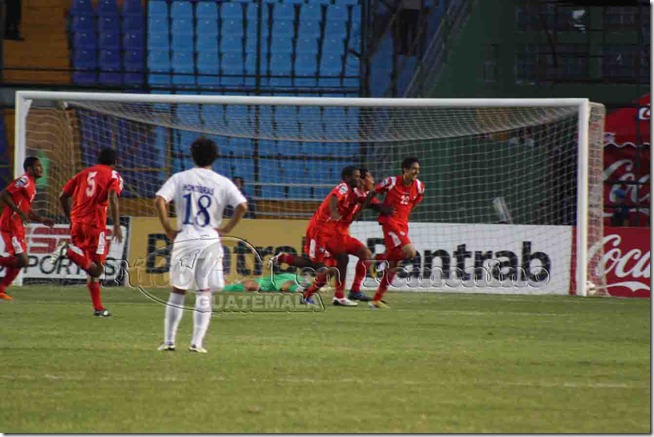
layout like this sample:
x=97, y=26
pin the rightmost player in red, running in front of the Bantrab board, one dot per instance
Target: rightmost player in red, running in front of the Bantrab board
x=402, y=194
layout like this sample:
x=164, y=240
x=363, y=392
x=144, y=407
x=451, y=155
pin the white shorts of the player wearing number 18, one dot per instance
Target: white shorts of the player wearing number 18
x=197, y=265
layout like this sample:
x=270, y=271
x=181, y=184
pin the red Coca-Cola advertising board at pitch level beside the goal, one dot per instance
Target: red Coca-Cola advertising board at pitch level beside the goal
x=626, y=261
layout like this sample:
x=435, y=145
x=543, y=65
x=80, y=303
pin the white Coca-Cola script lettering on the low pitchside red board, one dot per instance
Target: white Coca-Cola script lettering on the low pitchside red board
x=623, y=269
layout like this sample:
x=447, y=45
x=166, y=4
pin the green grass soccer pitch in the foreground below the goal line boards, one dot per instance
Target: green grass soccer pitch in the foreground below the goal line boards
x=436, y=363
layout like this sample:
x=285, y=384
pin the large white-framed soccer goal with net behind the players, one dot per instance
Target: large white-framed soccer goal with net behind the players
x=513, y=199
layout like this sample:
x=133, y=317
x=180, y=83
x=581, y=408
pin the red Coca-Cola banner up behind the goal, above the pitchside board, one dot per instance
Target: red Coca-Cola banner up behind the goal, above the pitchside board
x=627, y=159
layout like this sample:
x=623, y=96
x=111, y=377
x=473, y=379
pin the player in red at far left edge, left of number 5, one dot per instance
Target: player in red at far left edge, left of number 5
x=17, y=198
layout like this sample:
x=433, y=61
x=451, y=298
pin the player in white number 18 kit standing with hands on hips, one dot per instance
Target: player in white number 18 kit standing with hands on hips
x=200, y=196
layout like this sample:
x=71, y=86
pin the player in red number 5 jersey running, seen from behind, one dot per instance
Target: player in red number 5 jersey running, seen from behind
x=91, y=190
